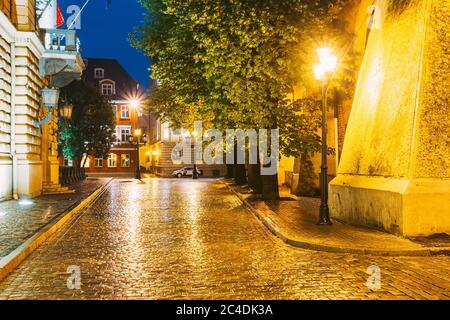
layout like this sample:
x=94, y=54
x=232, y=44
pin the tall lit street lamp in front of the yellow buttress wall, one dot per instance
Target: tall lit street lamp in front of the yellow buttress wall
x=323, y=72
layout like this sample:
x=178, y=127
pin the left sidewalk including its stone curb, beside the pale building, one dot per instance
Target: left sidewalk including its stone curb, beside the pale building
x=21, y=221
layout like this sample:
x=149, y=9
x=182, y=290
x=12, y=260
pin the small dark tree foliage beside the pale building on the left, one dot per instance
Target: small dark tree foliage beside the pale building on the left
x=91, y=130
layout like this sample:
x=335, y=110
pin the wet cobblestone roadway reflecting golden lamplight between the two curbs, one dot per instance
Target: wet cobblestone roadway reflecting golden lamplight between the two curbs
x=184, y=239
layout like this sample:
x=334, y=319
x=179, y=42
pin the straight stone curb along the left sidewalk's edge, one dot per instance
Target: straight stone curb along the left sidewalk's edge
x=16, y=257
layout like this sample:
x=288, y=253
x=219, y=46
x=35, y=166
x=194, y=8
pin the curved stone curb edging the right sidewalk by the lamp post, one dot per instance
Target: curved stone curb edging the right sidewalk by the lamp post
x=275, y=230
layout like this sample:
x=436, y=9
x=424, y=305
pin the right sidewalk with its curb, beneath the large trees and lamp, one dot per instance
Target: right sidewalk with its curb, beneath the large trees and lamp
x=293, y=219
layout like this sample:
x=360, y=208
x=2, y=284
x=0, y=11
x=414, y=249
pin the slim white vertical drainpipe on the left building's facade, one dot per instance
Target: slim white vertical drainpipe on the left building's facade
x=13, y=123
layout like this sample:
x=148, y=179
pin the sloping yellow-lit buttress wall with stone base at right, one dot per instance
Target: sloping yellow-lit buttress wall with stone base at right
x=395, y=168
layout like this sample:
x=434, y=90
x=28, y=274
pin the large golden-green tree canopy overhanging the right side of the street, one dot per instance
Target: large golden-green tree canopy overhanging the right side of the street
x=236, y=62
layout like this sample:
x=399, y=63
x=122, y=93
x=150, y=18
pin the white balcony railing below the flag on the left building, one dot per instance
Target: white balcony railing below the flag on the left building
x=61, y=41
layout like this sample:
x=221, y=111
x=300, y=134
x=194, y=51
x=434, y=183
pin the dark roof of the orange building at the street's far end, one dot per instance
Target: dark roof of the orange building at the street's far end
x=127, y=88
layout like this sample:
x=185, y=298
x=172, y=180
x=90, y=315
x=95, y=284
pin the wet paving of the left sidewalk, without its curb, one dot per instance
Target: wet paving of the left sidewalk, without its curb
x=18, y=222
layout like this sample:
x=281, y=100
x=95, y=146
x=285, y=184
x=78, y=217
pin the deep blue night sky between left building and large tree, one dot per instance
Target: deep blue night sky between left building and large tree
x=104, y=33
